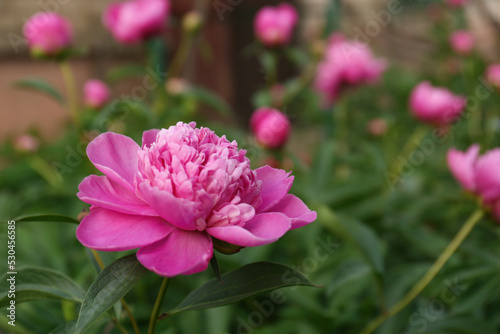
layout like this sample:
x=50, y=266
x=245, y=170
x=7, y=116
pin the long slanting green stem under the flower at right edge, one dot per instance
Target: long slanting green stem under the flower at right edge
x=429, y=275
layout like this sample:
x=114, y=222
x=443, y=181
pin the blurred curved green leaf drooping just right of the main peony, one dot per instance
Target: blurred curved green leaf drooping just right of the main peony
x=361, y=235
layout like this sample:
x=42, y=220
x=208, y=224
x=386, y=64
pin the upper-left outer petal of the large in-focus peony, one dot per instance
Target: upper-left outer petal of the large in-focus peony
x=116, y=156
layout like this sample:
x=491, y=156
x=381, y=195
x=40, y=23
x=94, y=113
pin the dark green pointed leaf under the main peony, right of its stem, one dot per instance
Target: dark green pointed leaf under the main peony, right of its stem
x=239, y=284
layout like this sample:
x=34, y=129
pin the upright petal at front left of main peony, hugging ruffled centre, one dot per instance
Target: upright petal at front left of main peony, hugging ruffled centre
x=177, y=211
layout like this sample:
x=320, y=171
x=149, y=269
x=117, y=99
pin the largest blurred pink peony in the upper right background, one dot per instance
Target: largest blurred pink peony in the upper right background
x=346, y=64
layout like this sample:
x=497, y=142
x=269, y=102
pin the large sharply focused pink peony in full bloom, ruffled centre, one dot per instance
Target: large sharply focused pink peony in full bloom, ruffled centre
x=184, y=191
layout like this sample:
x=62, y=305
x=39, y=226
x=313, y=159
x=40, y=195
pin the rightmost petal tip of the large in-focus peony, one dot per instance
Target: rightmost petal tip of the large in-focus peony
x=296, y=210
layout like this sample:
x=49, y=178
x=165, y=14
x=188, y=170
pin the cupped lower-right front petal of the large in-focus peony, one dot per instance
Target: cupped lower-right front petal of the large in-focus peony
x=261, y=230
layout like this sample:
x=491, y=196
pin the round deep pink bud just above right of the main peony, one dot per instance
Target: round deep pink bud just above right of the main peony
x=270, y=126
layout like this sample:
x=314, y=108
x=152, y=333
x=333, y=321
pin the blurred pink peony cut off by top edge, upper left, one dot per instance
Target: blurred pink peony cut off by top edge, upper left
x=136, y=20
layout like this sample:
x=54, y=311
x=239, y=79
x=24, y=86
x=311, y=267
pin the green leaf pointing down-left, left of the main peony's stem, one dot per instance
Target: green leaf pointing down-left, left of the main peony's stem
x=112, y=283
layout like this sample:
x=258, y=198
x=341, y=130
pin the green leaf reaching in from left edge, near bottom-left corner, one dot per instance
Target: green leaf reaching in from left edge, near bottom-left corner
x=39, y=283
